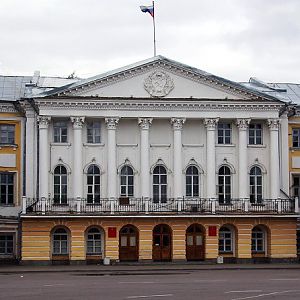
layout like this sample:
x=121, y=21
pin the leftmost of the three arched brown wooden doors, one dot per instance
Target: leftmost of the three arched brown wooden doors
x=128, y=244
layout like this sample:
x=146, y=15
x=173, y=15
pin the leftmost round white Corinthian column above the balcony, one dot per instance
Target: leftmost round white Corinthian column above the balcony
x=43, y=156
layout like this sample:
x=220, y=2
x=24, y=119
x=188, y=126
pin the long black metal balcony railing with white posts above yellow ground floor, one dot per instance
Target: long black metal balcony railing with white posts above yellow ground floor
x=148, y=206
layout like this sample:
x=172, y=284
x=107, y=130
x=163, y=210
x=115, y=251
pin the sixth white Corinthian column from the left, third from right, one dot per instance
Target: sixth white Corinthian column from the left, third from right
x=210, y=125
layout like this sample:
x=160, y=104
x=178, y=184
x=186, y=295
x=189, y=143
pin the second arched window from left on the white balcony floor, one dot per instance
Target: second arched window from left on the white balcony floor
x=93, y=184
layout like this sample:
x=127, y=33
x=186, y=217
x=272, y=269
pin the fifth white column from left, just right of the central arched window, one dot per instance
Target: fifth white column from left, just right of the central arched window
x=177, y=124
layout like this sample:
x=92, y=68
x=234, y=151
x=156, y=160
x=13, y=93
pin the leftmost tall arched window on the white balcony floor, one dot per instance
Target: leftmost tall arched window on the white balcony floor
x=60, y=185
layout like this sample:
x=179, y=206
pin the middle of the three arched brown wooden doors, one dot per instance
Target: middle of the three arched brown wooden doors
x=162, y=243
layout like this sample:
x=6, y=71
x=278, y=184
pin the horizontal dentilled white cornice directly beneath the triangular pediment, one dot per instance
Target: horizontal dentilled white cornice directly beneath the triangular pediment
x=143, y=105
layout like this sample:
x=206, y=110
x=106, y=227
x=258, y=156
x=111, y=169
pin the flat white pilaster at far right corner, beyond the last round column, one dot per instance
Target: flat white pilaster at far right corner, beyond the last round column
x=284, y=162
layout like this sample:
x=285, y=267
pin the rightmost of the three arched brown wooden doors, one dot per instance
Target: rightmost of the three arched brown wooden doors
x=195, y=243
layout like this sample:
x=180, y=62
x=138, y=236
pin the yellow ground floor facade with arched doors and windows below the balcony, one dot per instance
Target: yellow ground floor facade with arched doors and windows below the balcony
x=77, y=239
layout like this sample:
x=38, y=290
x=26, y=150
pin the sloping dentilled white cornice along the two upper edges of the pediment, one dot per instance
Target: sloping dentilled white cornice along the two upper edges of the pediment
x=208, y=80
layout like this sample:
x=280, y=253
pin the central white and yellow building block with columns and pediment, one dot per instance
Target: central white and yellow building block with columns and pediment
x=157, y=160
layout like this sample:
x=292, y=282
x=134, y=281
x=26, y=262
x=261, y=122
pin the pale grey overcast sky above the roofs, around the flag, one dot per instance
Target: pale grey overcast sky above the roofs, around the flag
x=235, y=39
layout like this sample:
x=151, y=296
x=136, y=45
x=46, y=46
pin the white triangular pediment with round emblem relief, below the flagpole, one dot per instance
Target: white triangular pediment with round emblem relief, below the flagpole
x=161, y=78
